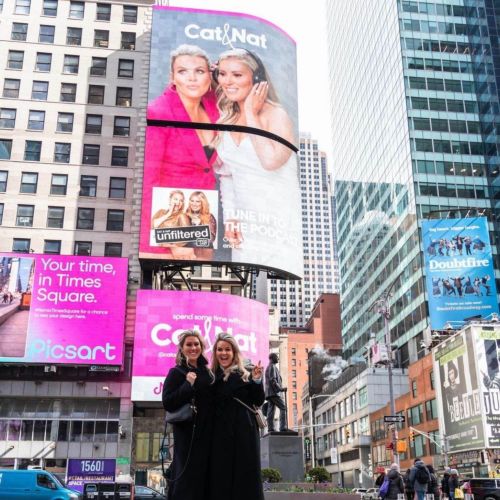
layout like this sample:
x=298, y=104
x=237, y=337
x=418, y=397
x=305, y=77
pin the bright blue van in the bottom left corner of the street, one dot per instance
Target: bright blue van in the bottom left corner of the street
x=33, y=483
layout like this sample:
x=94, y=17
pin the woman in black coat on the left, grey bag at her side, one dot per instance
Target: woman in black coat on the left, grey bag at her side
x=190, y=380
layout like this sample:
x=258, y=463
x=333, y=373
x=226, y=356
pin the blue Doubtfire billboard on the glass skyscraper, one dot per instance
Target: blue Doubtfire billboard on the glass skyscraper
x=459, y=270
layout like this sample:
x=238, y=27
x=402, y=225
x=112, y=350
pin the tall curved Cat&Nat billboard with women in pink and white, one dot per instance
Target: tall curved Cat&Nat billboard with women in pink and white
x=221, y=172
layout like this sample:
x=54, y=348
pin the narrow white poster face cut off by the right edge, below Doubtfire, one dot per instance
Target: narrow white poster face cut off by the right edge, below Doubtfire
x=488, y=359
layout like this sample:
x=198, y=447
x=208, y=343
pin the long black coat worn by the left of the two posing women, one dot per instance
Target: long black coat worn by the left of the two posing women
x=177, y=391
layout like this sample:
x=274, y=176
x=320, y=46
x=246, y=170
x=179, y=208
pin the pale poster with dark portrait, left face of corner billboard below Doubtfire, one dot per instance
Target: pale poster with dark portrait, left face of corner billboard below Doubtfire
x=458, y=395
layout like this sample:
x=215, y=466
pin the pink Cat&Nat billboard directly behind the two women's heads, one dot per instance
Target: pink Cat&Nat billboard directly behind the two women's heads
x=161, y=316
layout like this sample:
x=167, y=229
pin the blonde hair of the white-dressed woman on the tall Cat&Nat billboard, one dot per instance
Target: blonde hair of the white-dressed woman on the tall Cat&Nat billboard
x=230, y=110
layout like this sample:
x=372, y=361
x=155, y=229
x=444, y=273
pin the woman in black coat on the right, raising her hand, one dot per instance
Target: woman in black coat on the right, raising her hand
x=235, y=451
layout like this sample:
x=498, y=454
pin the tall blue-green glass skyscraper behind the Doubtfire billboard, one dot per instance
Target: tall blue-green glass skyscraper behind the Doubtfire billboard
x=415, y=115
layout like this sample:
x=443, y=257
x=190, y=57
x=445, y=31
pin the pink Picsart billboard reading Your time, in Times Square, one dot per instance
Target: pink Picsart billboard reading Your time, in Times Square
x=62, y=309
